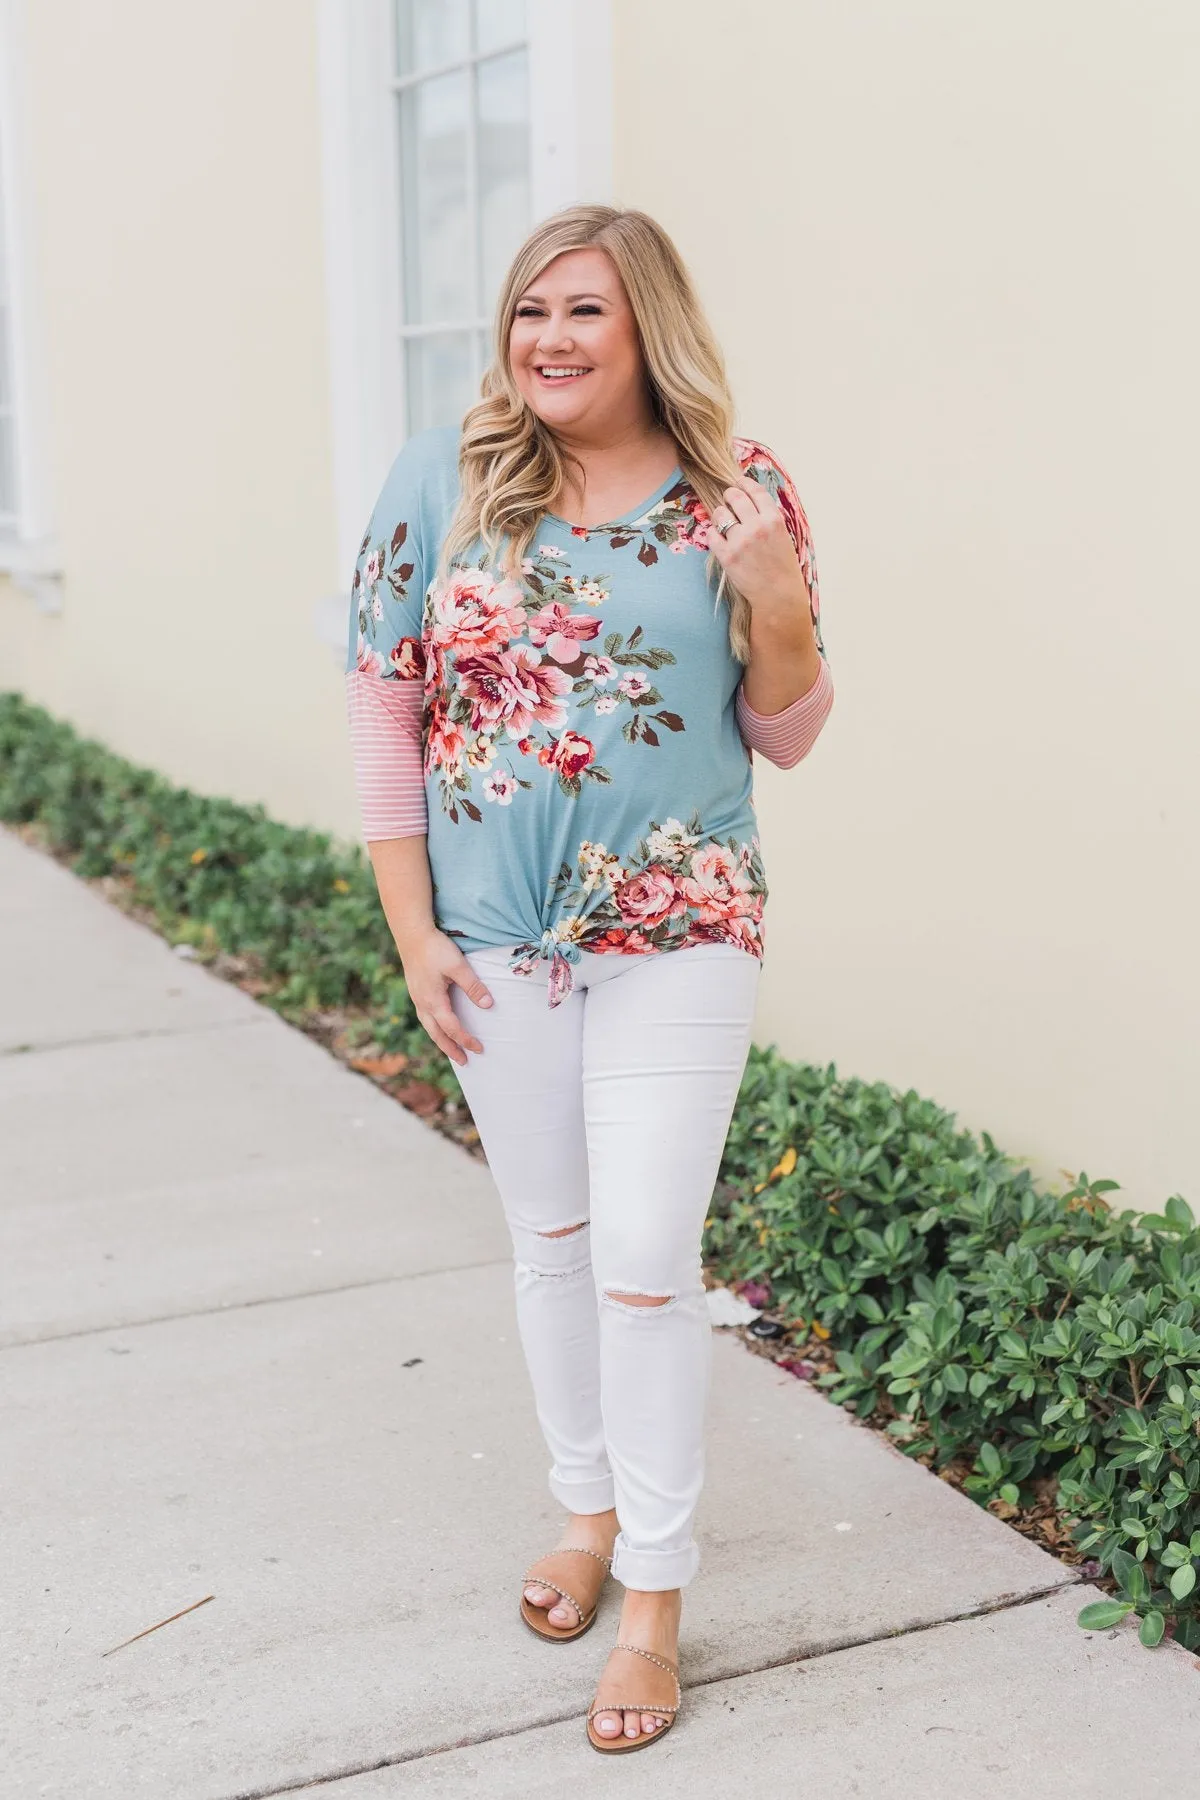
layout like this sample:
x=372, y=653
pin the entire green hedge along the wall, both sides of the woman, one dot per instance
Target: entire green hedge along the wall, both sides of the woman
x=989, y=1326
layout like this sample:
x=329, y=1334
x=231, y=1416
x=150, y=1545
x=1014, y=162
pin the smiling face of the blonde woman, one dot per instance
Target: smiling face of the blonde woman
x=575, y=350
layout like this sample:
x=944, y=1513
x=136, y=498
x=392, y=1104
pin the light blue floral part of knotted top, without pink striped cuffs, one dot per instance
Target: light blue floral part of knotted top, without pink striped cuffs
x=587, y=784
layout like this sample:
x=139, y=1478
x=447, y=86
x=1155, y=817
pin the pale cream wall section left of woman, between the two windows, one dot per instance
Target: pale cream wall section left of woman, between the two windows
x=179, y=260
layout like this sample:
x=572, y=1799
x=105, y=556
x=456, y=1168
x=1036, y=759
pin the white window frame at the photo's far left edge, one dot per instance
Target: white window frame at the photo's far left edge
x=28, y=546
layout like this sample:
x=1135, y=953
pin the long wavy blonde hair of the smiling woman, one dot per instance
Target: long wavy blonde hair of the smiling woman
x=512, y=467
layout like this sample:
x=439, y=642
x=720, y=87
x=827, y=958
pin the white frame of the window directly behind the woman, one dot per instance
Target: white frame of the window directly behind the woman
x=569, y=48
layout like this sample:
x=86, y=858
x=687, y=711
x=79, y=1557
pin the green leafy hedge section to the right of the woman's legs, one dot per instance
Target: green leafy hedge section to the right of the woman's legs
x=1019, y=1331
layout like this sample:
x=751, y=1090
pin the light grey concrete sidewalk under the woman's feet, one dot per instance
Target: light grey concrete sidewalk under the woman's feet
x=258, y=1344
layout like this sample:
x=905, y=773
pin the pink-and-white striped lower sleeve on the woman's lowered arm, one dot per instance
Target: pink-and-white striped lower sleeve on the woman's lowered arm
x=386, y=737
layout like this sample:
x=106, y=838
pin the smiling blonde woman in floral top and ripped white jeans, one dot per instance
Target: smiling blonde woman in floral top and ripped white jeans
x=571, y=625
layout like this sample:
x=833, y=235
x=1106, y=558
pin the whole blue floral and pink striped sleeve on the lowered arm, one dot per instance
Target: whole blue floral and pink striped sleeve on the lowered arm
x=386, y=660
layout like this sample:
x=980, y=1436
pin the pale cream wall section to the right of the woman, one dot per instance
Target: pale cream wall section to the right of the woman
x=954, y=256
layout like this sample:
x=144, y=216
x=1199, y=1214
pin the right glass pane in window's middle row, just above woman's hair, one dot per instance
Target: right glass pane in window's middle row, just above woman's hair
x=503, y=166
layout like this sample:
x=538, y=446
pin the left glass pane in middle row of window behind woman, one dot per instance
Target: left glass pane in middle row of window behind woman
x=436, y=226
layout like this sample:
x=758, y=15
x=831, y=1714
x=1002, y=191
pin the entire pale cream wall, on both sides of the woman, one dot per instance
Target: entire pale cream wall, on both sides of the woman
x=953, y=255
